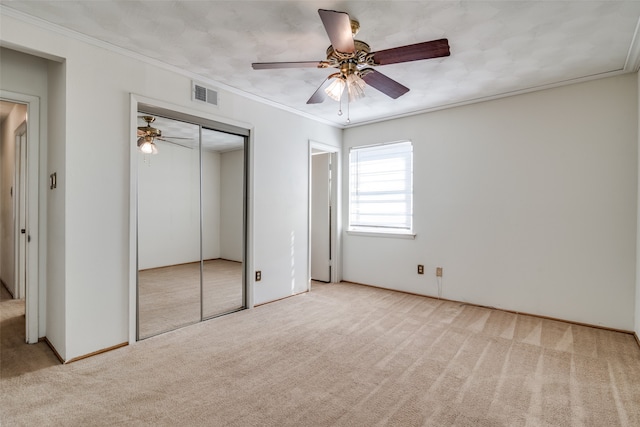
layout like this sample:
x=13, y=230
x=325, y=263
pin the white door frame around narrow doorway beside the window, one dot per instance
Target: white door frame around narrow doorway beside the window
x=336, y=222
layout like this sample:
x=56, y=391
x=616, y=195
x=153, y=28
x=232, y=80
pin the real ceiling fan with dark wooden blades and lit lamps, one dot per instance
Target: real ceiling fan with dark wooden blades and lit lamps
x=354, y=59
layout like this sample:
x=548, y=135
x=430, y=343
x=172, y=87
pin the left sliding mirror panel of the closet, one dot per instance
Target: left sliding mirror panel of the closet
x=169, y=230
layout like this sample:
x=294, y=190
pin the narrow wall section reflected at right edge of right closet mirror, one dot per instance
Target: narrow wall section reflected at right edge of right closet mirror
x=231, y=206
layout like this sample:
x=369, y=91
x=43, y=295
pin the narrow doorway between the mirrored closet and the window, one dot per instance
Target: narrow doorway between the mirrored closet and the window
x=323, y=213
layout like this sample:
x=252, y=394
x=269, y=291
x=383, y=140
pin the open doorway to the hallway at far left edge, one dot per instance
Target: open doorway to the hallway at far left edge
x=19, y=204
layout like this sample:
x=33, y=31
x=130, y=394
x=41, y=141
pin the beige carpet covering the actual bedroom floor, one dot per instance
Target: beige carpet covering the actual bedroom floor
x=346, y=355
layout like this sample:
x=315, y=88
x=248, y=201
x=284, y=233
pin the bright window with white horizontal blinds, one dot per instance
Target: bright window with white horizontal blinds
x=381, y=188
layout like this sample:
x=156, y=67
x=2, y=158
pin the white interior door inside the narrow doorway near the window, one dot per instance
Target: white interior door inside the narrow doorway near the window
x=321, y=217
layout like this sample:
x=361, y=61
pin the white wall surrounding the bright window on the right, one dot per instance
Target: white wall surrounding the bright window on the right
x=528, y=202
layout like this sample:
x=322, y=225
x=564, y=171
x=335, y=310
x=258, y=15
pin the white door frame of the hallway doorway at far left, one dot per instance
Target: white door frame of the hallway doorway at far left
x=34, y=258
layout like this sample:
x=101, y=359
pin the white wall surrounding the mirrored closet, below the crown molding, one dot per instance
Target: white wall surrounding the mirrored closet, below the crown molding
x=95, y=181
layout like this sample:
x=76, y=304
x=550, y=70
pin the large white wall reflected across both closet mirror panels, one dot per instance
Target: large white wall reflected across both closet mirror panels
x=169, y=206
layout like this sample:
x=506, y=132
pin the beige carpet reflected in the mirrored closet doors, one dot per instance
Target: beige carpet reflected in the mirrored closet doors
x=169, y=297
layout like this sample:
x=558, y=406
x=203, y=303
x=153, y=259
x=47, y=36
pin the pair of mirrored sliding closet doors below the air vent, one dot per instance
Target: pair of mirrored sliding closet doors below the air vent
x=191, y=220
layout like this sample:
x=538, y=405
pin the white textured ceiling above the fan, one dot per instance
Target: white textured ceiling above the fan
x=497, y=47
